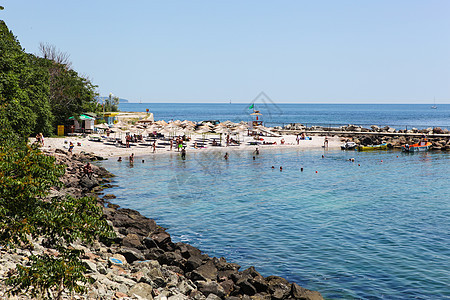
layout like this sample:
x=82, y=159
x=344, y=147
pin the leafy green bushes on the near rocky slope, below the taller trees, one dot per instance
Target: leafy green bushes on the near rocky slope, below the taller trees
x=26, y=176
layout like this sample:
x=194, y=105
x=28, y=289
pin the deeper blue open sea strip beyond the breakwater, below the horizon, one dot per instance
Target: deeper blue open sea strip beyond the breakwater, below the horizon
x=400, y=116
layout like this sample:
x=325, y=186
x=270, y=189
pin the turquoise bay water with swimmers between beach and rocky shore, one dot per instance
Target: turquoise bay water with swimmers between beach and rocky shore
x=377, y=230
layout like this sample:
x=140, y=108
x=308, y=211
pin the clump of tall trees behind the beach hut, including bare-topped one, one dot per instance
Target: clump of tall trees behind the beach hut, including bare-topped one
x=38, y=93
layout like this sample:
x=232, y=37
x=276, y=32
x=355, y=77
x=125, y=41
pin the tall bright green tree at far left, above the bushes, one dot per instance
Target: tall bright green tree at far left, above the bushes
x=24, y=88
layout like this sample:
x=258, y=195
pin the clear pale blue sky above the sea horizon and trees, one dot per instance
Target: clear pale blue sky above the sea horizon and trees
x=215, y=51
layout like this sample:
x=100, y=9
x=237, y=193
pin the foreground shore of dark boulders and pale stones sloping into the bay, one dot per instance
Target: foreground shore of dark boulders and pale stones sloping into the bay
x=142, y=262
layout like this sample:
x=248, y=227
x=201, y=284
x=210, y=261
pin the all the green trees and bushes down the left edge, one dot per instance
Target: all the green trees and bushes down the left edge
x=35, y=95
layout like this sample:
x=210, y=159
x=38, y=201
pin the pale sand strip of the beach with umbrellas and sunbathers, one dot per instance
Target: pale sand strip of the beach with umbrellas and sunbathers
x=100, y=149
